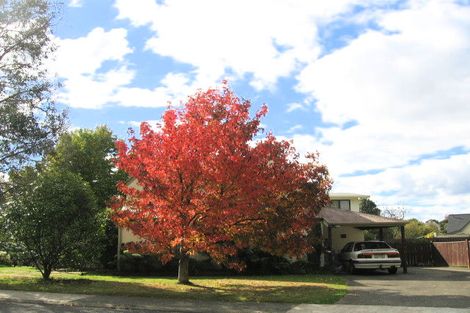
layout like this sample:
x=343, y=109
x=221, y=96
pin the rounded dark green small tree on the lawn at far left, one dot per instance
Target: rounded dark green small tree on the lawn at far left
x=54, y=218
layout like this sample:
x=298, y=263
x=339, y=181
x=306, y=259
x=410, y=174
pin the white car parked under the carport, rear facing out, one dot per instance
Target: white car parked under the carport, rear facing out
x=370, y=255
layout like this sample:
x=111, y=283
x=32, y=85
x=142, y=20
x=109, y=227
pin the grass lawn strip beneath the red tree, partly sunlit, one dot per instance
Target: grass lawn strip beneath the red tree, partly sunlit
x=320, y=289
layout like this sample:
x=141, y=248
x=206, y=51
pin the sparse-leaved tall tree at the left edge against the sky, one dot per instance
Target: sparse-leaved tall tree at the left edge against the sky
x=29, y=121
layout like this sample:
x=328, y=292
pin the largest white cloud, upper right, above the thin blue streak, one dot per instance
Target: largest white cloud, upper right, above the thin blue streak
x=407, y=91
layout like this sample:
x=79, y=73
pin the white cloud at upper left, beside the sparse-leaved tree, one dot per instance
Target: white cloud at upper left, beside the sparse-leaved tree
x=79, y=63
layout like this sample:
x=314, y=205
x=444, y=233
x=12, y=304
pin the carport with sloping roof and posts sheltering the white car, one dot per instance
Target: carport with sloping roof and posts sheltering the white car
x=333, y=219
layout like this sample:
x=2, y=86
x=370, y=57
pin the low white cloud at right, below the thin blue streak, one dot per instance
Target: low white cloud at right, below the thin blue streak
x=431, y=189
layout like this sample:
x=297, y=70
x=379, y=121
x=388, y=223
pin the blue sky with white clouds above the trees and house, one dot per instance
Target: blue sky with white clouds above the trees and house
x=380, y=88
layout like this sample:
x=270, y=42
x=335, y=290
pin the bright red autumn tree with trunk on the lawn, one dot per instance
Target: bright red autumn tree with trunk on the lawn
x=208, y=184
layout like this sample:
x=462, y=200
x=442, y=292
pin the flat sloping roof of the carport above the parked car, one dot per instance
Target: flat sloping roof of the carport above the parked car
x=350, y=218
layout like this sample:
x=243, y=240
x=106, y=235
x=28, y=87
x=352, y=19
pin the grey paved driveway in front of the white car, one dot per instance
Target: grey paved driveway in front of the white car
x=421, y=287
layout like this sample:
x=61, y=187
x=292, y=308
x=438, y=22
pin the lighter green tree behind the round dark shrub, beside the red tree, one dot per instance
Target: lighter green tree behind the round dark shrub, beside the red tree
x=90, y=154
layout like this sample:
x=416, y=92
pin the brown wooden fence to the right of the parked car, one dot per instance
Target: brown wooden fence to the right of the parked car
x=438, y=252
